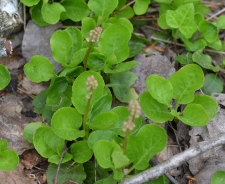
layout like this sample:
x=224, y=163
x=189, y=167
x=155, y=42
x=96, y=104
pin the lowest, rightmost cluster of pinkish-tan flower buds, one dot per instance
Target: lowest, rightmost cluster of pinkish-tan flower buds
x=135, y=112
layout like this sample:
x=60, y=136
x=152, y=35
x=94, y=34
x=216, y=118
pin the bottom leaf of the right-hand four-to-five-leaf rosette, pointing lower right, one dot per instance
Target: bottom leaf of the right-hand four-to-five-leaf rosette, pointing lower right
x=194, y=115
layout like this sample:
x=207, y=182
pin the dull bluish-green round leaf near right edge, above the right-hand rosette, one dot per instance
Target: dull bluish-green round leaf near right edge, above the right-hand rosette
x=212, y=84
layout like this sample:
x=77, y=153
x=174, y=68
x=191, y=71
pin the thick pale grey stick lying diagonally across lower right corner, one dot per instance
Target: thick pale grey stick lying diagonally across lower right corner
x=176, y=160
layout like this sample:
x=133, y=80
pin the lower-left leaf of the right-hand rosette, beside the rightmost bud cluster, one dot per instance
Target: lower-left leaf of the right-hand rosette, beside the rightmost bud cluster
x=154, y=110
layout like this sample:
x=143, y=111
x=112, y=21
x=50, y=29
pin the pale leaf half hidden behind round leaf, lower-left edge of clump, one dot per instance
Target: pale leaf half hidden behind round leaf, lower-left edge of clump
x=29, y=130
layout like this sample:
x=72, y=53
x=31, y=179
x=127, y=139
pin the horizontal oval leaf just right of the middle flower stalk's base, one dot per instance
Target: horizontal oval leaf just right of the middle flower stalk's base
x=104, y=121
